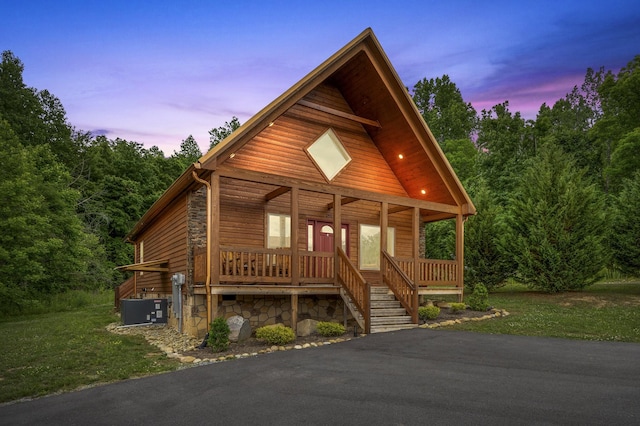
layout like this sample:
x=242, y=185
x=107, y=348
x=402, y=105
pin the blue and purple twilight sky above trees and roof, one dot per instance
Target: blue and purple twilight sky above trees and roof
x=158, y=71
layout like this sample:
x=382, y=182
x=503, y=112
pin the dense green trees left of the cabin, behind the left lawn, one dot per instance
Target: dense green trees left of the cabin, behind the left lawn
x=68, y=198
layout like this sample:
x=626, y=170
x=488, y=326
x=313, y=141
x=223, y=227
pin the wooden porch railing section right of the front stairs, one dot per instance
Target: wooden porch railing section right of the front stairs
x=430, y=272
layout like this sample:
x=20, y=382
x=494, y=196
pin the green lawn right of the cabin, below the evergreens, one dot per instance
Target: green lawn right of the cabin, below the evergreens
x=604, y=311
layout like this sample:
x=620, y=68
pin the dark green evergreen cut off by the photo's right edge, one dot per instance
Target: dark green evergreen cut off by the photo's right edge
x=625, y=227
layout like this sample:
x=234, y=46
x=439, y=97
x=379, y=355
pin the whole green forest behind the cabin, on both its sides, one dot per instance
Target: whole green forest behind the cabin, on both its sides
x=555, y=195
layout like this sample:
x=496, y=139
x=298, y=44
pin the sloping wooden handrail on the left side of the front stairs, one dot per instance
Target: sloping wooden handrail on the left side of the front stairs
x=356, y=287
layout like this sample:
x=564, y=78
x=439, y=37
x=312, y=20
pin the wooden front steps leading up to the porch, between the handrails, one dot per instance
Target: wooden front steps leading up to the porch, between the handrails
x=387, y=314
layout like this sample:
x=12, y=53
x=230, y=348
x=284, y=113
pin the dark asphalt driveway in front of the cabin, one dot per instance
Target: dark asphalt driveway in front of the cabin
x=403, y=378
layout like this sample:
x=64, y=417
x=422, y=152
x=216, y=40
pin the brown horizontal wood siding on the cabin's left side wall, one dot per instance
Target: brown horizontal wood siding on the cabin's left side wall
x=166, y=238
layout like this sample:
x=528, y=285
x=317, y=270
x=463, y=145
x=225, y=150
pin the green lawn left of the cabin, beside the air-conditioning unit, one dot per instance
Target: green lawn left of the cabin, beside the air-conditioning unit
x=61, y=351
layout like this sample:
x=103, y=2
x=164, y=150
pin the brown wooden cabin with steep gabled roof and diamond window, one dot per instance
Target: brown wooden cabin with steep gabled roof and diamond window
x=314, y=208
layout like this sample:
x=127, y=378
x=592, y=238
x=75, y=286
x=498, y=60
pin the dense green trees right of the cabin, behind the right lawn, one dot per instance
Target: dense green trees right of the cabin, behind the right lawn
x=555, y=196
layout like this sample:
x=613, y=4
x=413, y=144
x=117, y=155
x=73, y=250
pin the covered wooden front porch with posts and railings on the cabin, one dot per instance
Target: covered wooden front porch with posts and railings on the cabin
x=224, y=268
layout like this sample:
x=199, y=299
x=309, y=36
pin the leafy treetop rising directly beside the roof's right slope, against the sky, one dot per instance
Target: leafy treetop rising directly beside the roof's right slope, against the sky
x=443, y=109
